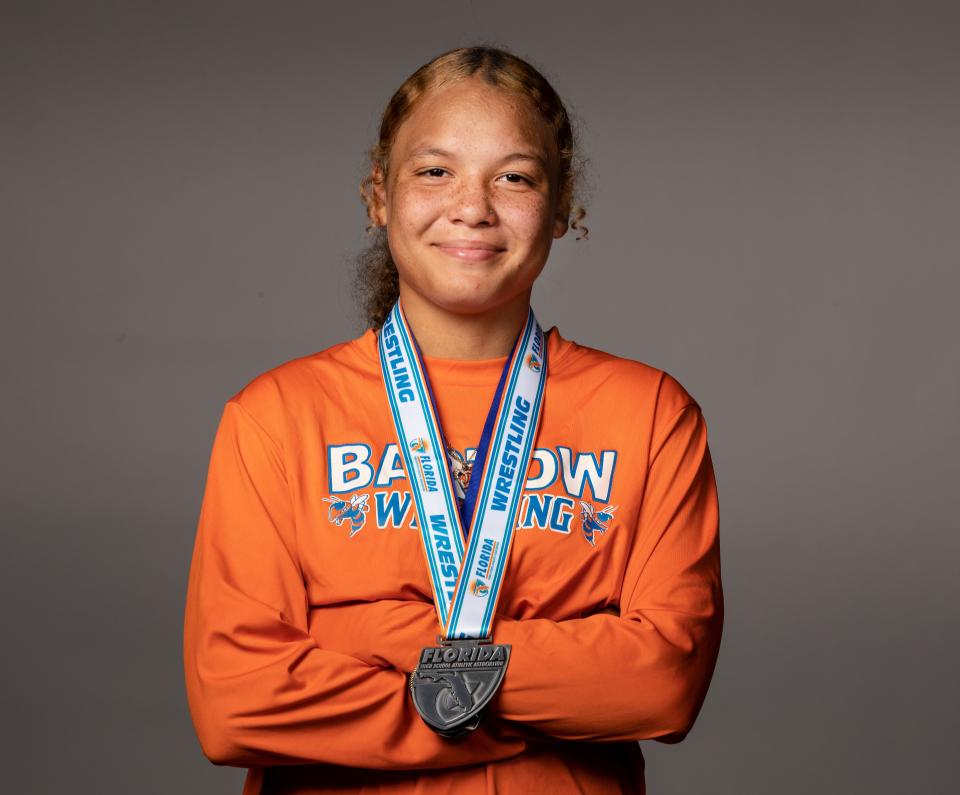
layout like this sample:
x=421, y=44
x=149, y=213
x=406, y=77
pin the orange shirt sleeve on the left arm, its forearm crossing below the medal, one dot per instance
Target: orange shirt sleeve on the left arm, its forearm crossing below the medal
x=260, y=689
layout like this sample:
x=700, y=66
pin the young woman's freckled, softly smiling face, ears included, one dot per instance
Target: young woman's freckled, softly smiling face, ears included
x=471, y=198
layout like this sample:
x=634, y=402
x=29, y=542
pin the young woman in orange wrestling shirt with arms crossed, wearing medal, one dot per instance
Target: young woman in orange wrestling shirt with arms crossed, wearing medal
x=367, y=614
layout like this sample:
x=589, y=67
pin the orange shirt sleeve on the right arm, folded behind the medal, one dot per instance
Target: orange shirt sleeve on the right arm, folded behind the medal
x=640, y=675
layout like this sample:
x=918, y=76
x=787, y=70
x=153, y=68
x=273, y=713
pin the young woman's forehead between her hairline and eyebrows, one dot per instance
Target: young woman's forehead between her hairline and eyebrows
x=470, y=116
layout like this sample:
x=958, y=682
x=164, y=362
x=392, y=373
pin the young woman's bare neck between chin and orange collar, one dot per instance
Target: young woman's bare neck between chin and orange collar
x=449, y=335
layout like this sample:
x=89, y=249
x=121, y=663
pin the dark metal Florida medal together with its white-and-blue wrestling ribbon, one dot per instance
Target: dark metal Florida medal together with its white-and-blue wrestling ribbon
x=454, y=681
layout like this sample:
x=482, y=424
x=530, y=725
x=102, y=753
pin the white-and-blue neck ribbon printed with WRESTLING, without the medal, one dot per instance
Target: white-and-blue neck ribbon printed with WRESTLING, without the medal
x=466, y=582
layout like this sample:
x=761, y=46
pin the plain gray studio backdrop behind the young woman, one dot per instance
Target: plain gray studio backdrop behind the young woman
x=773, y=214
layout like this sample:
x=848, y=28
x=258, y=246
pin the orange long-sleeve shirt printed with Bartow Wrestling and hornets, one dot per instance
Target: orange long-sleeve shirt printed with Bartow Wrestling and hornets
x=309, y=597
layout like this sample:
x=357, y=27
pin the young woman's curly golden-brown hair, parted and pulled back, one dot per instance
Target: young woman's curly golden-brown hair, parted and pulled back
x=376, y=281
